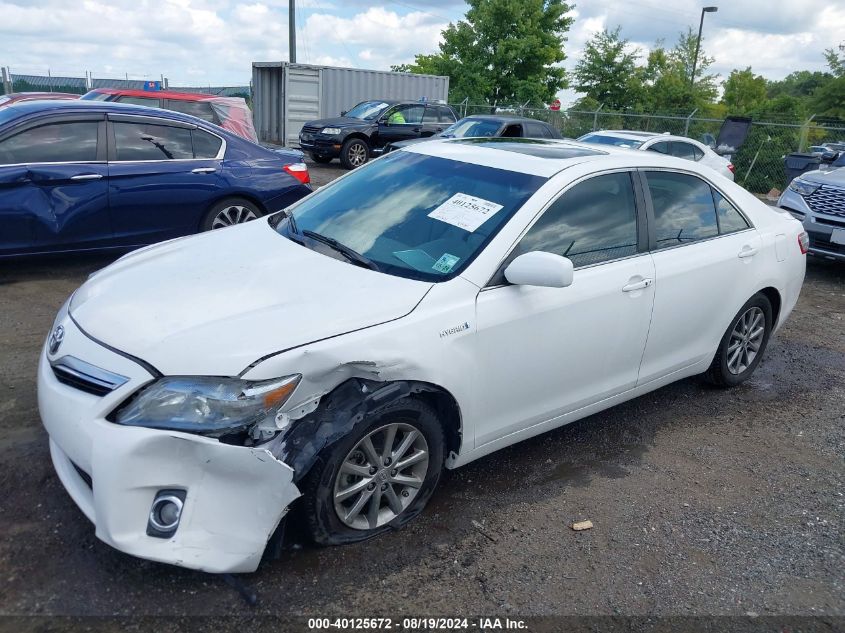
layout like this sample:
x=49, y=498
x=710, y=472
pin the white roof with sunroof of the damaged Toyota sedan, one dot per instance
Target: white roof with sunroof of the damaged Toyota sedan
x=543, y=157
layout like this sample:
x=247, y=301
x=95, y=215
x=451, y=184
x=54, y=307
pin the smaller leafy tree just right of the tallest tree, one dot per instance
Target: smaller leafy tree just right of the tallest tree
x=606, y=71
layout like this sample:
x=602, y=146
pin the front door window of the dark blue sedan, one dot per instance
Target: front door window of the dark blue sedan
x=71, y=142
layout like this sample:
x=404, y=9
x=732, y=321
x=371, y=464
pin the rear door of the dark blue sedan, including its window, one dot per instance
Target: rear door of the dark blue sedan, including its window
x=164, y=176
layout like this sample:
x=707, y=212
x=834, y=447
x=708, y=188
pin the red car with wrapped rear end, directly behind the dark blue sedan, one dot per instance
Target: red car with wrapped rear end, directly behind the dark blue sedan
x=230, y=113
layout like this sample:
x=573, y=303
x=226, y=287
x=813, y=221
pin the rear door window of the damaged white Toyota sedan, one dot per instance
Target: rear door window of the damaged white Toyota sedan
x=683, y=208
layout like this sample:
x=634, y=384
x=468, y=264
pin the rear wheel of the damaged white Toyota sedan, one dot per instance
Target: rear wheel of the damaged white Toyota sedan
x=743, y=344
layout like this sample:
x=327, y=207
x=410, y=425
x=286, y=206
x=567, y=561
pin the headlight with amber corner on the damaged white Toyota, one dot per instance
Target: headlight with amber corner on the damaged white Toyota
x=208, y=406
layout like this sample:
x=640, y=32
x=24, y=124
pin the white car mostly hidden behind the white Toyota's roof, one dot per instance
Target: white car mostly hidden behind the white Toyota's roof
x=679, y=146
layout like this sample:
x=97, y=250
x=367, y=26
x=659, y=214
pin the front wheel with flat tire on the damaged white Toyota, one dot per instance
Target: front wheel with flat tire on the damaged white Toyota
x=377, y=478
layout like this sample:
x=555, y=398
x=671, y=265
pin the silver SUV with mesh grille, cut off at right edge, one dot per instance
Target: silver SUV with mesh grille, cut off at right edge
x=817, y=199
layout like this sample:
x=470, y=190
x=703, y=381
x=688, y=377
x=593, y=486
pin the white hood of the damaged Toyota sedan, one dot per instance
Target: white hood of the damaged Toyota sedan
x=214, y=303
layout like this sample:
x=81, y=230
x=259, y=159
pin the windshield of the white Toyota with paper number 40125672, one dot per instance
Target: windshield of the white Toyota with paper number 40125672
x=412, y=215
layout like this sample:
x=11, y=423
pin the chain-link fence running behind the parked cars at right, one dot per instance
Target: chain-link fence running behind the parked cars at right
x=759, y=163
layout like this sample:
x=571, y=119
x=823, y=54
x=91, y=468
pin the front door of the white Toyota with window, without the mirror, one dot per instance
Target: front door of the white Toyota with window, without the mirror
x=545, y=352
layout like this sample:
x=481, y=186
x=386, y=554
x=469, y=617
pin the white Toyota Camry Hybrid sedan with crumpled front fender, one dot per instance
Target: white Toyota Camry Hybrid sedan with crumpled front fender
x=448, y=300
